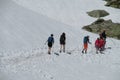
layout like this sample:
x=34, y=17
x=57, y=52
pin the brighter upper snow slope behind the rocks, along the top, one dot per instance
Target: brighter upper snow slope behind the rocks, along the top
x=69, y=12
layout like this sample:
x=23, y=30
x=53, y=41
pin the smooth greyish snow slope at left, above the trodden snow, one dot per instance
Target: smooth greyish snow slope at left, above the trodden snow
x=22, y=28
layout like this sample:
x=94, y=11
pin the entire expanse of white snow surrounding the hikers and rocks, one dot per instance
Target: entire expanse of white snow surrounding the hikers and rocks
x=25, y=26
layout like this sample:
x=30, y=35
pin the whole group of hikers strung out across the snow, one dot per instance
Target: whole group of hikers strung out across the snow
x=99, y=42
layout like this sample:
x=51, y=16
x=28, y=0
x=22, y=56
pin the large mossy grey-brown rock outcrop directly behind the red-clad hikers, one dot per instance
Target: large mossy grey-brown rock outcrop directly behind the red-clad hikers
x=112, y=29
